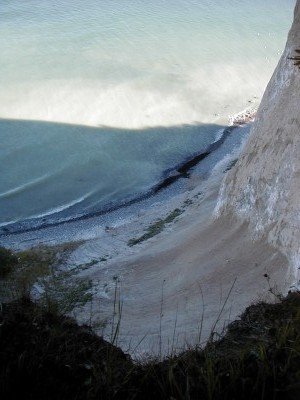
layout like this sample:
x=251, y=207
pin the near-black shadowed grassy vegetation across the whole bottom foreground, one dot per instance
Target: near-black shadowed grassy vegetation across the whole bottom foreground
x=46, y=356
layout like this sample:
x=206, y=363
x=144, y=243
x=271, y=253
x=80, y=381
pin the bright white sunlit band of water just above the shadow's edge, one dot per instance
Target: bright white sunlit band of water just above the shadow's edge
x=204, y=95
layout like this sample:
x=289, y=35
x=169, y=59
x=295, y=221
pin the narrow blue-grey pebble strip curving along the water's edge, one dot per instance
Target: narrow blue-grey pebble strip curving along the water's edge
x=92, y=226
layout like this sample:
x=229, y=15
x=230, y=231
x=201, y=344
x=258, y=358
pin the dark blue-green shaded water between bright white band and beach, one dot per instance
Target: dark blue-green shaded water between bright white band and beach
x=43, y=158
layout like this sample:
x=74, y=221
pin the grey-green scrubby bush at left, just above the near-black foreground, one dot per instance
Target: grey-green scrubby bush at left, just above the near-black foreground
x=39, y=269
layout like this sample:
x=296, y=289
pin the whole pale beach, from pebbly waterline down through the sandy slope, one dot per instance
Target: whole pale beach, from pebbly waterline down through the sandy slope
x=192, y=250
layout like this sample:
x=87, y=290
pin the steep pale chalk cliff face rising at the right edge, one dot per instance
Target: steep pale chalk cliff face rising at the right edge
x=264, y=186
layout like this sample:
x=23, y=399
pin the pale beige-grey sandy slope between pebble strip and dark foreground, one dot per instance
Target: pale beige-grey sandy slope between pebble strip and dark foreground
x=195, y=276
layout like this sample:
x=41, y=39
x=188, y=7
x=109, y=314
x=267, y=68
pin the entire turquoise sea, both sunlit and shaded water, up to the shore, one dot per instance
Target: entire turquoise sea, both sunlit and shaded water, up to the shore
x=99, y=98
